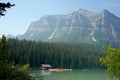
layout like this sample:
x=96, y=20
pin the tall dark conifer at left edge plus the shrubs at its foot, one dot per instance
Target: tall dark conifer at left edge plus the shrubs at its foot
x=8, y=72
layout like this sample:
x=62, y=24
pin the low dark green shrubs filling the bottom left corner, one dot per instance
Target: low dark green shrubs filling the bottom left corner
x=9, y=73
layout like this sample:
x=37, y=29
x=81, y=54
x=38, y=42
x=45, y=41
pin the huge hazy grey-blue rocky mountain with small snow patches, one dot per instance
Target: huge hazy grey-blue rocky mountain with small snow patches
x=77, y=26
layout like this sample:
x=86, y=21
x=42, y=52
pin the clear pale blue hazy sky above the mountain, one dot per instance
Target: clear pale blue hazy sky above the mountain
x=19, y=17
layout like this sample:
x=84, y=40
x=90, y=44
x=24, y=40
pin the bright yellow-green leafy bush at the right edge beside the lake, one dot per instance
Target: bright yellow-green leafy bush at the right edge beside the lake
x=112, y=61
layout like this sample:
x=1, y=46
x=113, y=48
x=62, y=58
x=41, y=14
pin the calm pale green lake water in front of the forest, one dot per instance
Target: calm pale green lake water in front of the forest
x=77, y=74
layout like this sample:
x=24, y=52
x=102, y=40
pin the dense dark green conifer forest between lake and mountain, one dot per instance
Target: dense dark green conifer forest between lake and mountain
x=65, y=55
